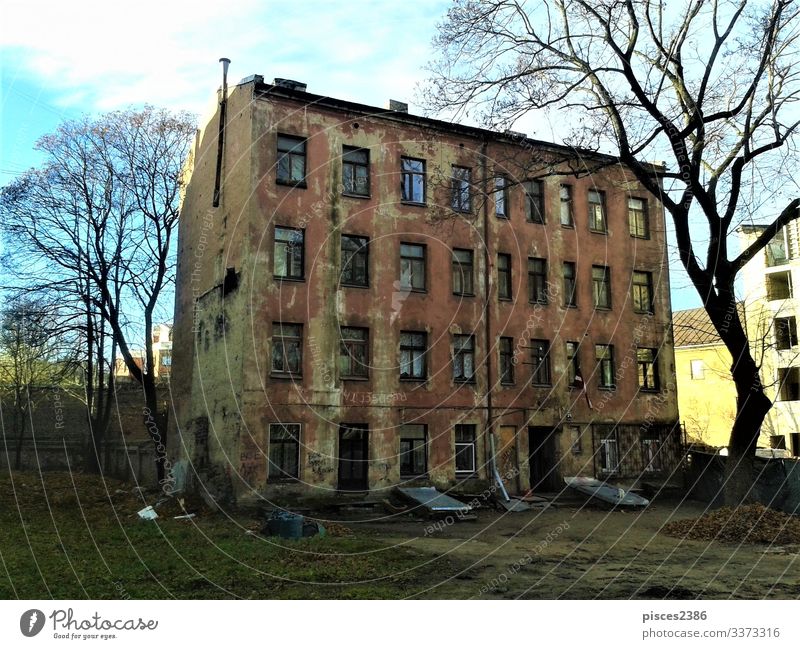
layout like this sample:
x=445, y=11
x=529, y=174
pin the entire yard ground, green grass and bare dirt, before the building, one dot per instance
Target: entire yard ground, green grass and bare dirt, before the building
x=71, y=537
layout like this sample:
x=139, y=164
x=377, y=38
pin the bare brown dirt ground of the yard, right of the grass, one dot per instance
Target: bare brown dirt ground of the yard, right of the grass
x=581, y=552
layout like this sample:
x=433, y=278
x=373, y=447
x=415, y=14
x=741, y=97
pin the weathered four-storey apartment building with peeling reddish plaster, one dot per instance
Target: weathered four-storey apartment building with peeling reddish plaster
x=367, y=298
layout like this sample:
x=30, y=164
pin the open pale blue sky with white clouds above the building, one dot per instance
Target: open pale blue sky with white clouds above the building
x=61, y=59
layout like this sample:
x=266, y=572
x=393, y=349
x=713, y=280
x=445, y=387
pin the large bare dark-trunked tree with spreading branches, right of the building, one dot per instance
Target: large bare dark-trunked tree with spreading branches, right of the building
x=712, y=86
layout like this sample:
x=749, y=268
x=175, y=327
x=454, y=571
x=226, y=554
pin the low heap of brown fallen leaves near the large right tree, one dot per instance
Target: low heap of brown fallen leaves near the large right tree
x=745, y=524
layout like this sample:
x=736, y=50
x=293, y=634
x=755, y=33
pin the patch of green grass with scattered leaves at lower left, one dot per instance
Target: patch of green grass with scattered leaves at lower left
x=77, y=536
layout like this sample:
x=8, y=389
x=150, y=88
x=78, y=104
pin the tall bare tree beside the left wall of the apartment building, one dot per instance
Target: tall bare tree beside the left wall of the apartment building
x=99, y=221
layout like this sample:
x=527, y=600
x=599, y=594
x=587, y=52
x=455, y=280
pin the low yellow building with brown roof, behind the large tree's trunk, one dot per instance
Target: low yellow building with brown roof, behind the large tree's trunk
x=706, y=394
